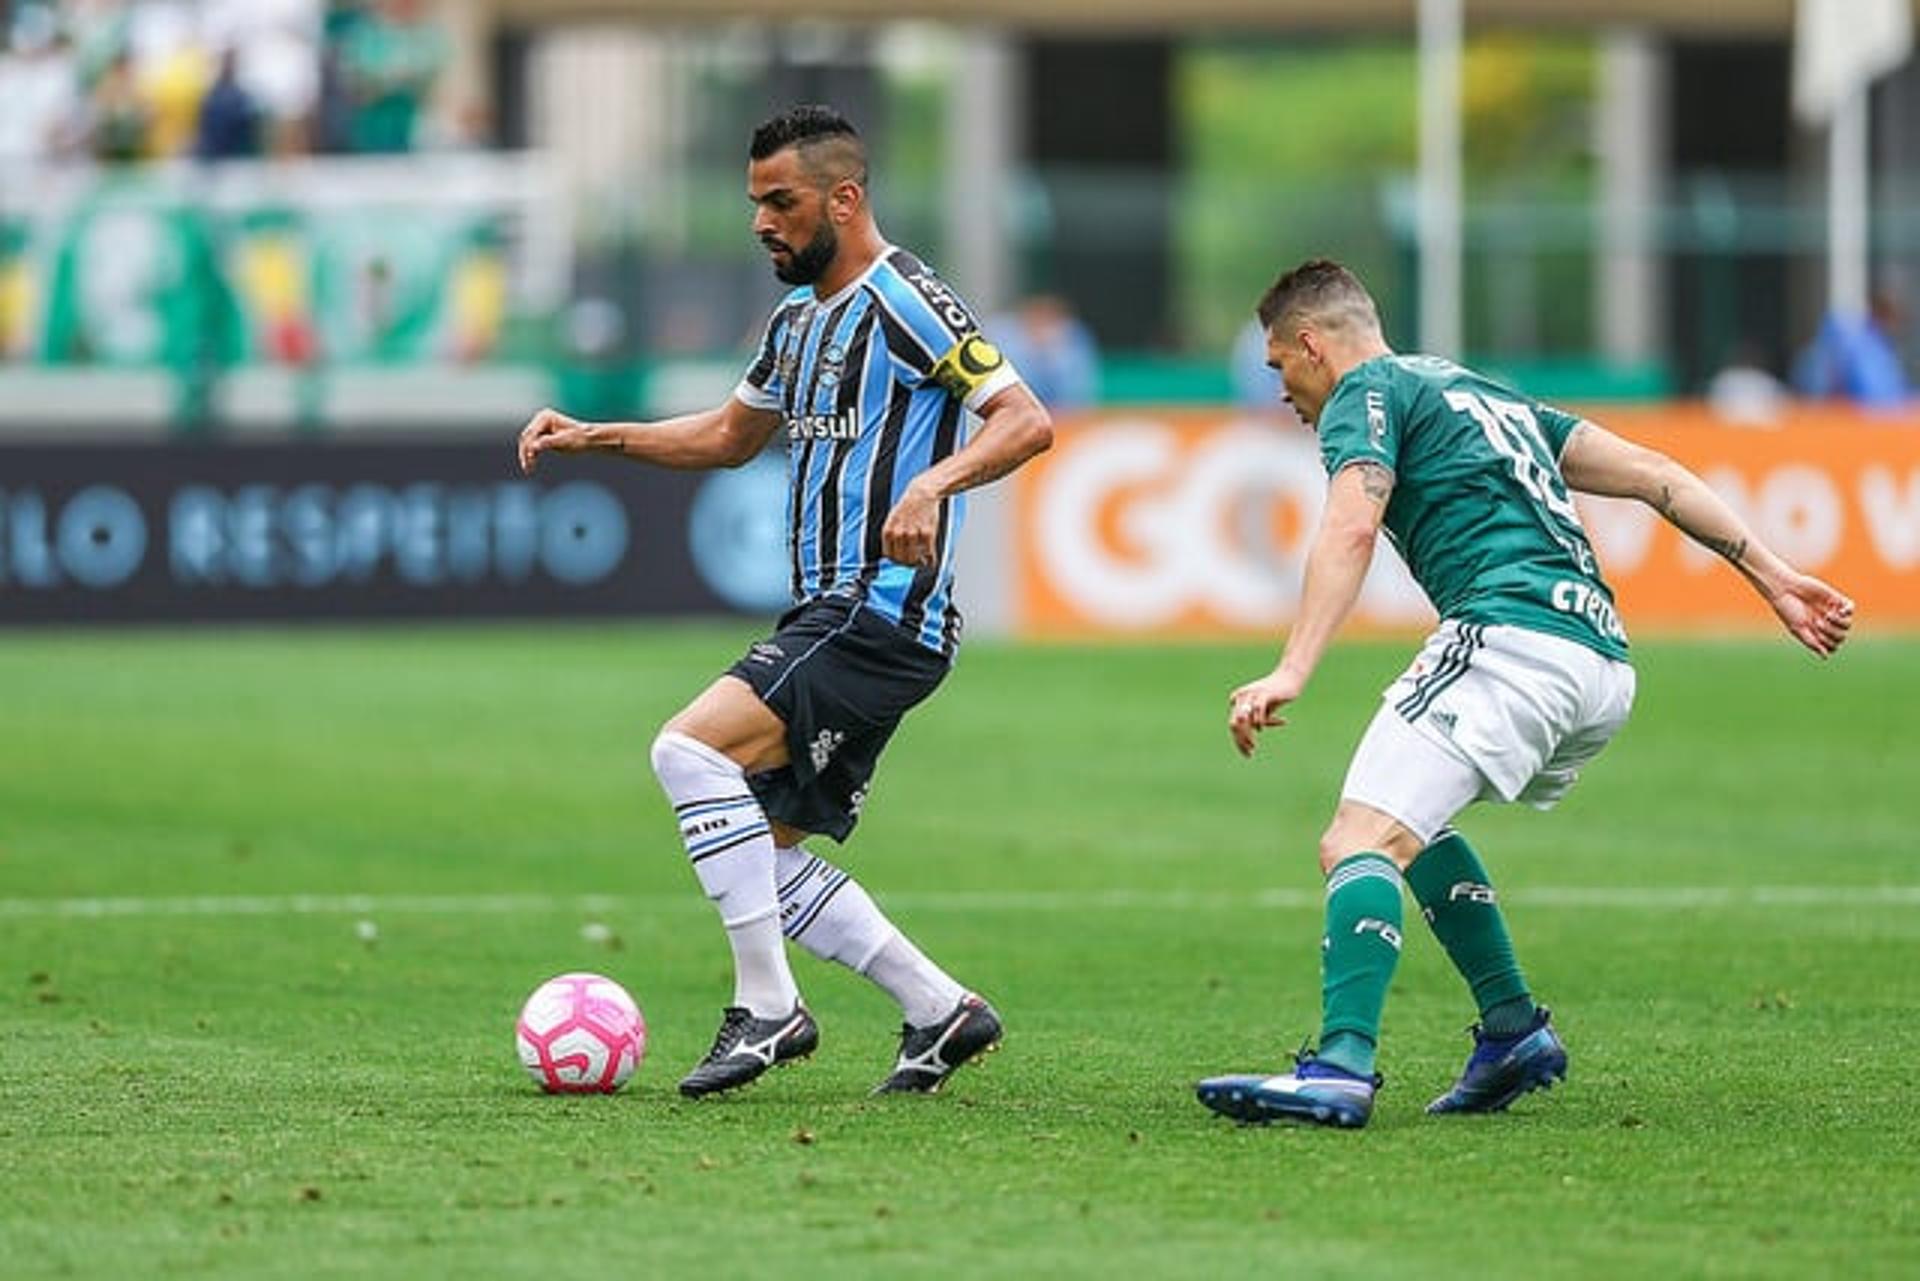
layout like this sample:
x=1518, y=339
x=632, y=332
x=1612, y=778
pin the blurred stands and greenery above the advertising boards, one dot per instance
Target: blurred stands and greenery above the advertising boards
x=318, y=212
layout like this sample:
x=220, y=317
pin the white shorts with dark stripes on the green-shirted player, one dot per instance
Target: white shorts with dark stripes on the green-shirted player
x=1487, y=713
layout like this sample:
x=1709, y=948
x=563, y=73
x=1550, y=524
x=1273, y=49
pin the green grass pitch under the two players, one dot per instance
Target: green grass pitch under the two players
x=201, y=1082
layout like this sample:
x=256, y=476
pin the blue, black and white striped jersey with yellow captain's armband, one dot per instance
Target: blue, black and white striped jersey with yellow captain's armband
x=876, y=385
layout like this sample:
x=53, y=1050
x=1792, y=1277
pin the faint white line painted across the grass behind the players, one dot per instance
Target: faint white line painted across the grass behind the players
x=1596, y=898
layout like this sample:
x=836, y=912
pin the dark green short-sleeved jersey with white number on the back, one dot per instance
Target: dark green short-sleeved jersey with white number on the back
x=1479, y=510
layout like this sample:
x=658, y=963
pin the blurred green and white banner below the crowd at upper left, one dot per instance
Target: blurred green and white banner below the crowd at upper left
x=135, y=276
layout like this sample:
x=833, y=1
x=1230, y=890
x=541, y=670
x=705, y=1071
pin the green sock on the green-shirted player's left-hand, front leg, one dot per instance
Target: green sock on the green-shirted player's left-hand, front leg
x=1358, y=959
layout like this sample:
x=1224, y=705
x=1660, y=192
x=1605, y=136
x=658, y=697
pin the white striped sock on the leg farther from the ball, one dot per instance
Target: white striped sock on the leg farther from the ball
x=830, y=915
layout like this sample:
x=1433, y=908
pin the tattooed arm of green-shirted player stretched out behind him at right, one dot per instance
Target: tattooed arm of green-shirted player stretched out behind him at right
x=1598, y=462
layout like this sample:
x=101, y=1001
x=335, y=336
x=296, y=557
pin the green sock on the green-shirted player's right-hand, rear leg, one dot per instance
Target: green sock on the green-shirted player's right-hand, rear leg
x=1452, y=890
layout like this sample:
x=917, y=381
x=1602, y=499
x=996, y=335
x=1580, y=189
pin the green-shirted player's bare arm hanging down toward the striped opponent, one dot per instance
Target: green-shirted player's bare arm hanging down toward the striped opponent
x=1337, y=568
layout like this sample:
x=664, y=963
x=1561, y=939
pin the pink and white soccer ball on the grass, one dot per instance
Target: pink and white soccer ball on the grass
x=581, y=1034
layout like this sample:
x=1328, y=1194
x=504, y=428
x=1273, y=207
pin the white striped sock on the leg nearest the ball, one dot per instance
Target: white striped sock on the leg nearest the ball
x=732, y=854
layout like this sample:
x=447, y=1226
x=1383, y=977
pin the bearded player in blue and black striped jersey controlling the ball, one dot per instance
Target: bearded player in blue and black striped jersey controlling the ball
x=894, y=406
